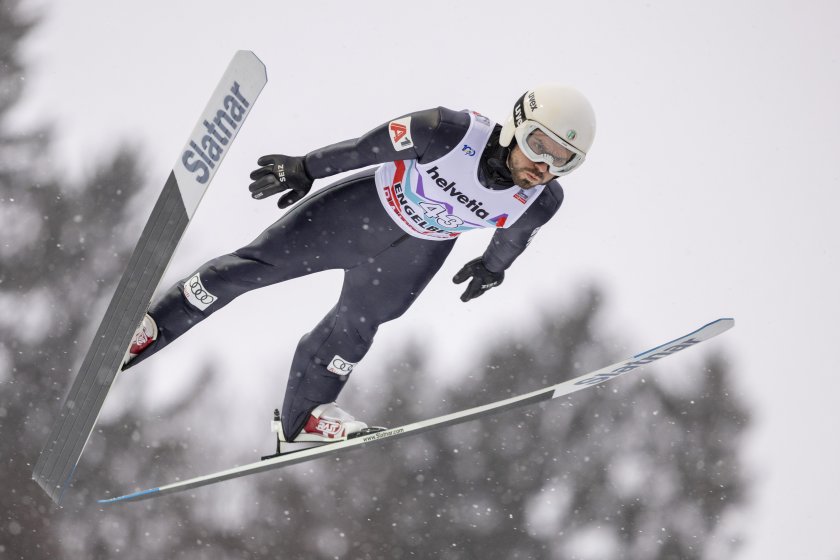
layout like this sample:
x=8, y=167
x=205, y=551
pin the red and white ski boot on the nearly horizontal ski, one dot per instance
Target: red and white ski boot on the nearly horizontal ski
x=327, y=423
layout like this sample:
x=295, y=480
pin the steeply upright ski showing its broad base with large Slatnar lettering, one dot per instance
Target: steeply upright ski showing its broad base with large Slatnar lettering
x=192, y=173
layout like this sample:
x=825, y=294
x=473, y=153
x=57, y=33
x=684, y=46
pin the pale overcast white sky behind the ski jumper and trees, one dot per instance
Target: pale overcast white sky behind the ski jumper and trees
x=711, y=190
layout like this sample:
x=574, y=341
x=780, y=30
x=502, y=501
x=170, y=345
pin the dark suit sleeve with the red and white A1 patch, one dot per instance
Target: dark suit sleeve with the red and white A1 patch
x=432, y=133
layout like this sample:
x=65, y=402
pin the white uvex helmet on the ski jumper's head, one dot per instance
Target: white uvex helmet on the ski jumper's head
x=563, y=114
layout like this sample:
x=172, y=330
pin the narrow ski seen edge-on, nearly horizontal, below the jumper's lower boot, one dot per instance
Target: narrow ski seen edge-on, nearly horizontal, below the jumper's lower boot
x=578, y=383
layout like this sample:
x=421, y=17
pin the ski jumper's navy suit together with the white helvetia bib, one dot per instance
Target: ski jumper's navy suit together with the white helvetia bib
x=441, y=173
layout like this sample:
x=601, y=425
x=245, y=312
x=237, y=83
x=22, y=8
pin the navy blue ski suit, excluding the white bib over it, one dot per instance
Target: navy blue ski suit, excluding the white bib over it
x=344, y=226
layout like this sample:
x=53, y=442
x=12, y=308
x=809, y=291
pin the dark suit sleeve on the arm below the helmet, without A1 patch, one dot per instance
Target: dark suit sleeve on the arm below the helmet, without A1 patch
x=507, y=244
